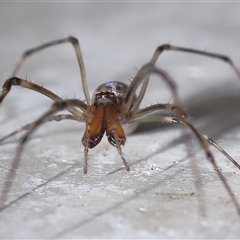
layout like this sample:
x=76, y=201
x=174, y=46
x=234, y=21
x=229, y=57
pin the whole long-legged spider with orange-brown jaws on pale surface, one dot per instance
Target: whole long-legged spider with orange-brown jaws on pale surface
x=113, y=105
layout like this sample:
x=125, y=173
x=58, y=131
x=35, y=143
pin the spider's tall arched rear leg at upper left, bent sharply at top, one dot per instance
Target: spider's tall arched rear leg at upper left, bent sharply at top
x=77, y=49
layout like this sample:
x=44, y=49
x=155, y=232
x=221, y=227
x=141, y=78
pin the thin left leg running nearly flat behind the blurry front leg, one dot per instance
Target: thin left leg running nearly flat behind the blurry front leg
x=56, y=118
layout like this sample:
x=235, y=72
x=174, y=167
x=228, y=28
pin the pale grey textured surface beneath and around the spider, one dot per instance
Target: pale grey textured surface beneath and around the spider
x=150, y=201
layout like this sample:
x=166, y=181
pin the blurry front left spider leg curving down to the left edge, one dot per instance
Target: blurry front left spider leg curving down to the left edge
x=57, y=106
